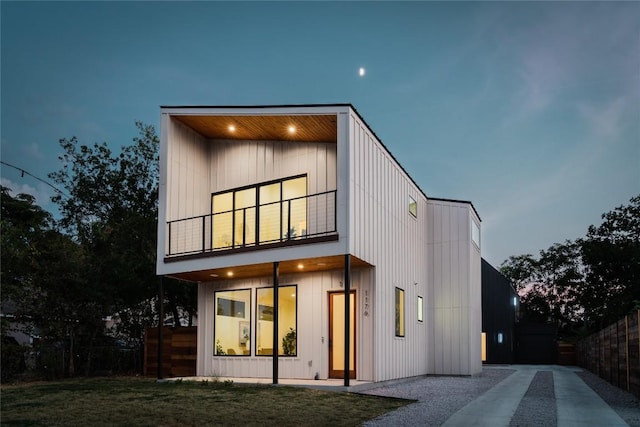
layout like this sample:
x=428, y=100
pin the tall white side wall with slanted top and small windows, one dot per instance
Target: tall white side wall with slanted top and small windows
x=386, y=235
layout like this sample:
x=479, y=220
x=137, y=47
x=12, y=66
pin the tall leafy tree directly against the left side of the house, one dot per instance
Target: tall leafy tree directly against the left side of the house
x=112, y=211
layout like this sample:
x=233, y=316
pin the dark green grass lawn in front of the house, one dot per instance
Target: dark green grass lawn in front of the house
x=145, y=402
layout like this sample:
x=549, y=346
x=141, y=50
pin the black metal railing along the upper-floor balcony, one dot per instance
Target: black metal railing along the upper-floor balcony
x=283, y=221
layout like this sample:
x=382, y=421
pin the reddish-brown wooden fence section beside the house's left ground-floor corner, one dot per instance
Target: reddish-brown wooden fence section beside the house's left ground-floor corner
x=178, y=351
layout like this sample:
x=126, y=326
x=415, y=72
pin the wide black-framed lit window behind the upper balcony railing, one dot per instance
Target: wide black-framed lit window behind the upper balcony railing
x=269, y=212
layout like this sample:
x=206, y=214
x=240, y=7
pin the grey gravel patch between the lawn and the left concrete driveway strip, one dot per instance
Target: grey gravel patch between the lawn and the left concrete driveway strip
x=438, y=397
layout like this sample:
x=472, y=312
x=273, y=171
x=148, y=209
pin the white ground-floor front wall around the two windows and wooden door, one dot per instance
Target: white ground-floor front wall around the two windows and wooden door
x=312, y=329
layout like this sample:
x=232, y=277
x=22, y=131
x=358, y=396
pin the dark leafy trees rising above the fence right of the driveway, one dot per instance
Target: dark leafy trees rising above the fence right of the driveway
x=591, y=282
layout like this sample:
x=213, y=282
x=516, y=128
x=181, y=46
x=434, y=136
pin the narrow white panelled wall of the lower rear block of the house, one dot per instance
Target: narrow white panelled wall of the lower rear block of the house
x=454, y=303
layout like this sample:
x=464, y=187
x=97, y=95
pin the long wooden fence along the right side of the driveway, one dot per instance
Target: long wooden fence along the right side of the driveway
x=614, y=353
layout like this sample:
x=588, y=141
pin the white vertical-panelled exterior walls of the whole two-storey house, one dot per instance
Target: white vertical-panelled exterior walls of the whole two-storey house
x=430, y=256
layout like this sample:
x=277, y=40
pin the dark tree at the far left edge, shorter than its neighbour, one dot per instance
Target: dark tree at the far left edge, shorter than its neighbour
x=43, y=278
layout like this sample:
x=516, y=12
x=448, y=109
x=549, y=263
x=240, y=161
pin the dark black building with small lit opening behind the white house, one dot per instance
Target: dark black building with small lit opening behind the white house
x=500, y=303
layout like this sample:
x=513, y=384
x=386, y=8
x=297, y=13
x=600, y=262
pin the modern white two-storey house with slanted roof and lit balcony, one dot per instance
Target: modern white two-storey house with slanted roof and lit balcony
x=308, y=198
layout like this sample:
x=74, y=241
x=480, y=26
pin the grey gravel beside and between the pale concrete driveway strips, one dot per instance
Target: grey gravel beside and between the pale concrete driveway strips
x=440, y=397
